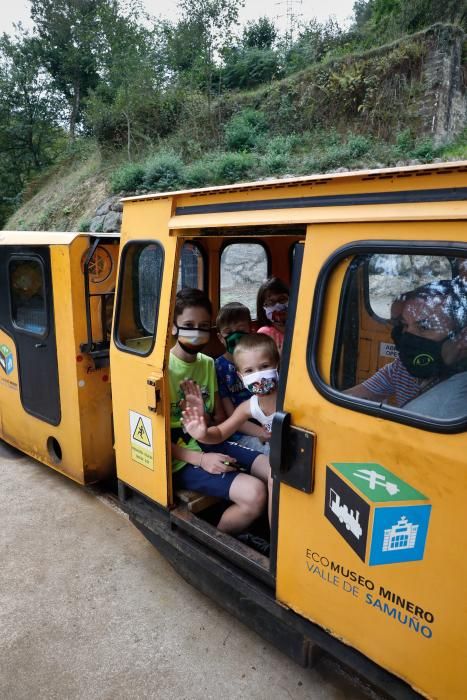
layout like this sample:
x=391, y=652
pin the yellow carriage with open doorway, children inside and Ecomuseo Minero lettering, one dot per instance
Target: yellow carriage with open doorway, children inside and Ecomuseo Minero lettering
x=368, y=517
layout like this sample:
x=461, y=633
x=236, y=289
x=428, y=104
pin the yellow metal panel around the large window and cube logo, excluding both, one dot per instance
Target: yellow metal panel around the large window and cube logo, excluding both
x=318, y=573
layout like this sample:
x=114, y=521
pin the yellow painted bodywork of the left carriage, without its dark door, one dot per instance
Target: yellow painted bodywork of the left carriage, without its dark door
x=84, y=432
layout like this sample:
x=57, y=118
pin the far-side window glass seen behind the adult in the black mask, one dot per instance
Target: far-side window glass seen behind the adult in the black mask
x=390, y=276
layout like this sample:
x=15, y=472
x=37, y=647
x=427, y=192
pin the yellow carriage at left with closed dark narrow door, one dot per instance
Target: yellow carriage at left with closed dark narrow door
x=55, y=315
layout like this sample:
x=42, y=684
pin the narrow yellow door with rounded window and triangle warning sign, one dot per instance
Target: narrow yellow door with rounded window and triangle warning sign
x=138, y=352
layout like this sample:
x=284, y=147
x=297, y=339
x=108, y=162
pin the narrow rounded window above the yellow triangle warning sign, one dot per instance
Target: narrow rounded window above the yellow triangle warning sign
x=138, y=299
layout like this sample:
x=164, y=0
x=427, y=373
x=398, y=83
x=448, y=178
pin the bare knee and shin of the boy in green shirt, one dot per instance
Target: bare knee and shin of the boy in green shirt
x=249, y=499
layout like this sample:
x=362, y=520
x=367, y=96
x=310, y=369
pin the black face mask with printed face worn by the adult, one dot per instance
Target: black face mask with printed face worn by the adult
x=420, y=356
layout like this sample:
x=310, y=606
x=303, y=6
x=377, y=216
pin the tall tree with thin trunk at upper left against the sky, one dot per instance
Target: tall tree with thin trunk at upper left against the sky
x=68, y=41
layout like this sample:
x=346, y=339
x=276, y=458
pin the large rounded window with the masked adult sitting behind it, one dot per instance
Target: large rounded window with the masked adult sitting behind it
x=411, y=361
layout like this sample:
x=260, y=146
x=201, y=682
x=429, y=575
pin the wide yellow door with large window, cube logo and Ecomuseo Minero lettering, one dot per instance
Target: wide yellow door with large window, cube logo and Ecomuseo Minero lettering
x=372, y=493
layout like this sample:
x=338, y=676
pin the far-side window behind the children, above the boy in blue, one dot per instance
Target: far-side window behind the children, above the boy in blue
x=244, y=266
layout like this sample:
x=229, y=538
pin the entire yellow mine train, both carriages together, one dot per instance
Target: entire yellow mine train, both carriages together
x=367, y=534
